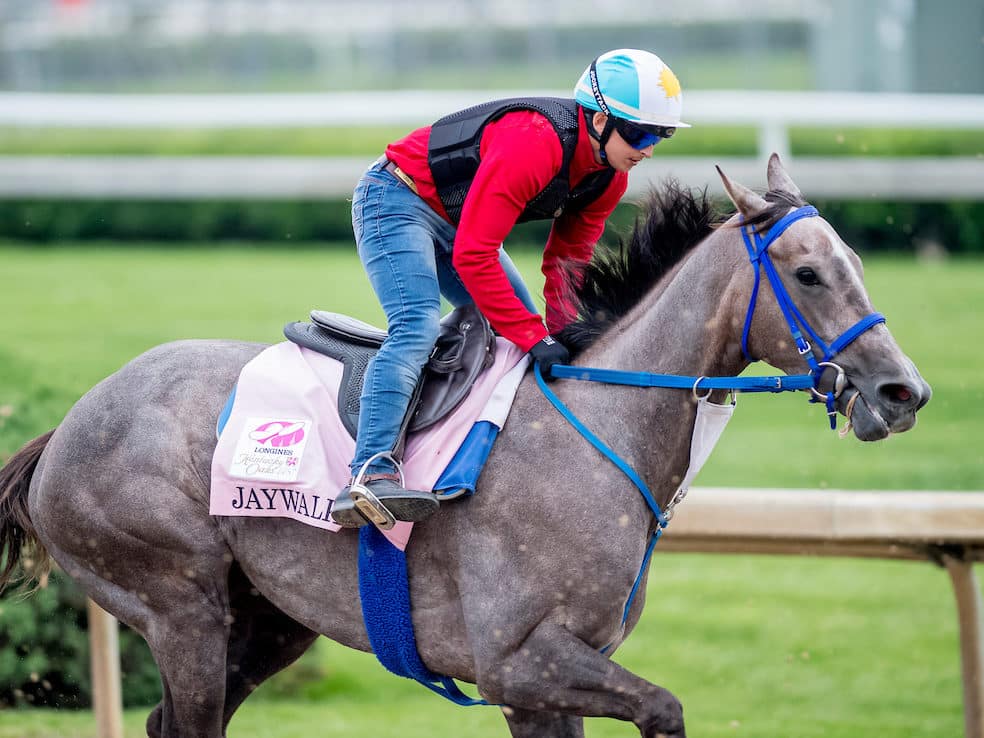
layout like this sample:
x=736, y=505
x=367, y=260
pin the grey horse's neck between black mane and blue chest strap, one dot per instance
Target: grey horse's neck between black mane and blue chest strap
x=689, y=324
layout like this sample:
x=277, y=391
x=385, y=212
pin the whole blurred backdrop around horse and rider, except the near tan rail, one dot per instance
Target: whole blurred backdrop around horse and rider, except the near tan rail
x=183, y=168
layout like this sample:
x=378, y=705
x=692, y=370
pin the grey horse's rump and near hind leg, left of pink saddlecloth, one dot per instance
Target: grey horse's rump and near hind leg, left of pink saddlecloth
x=121, y=504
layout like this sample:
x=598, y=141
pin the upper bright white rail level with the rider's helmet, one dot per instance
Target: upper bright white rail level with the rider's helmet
x=415, y=107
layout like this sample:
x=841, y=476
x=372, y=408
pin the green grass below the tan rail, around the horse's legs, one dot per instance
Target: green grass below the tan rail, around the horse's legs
x=752, y=646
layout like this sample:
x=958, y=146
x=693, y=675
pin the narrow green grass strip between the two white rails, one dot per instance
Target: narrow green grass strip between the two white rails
x=370, y=142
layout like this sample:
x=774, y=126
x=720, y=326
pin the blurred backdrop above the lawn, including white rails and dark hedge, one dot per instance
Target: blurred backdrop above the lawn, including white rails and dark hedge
x=879, y=99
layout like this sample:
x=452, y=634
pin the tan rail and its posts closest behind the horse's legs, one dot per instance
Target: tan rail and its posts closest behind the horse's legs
x=945, y=527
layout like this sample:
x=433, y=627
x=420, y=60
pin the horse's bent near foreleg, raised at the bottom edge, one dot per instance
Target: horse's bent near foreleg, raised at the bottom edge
x=554, y=671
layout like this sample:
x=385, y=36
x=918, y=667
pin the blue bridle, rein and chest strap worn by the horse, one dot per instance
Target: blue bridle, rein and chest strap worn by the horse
x=758, y=255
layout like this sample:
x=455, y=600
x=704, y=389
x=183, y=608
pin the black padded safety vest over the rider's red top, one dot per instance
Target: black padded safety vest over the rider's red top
x=453, y=156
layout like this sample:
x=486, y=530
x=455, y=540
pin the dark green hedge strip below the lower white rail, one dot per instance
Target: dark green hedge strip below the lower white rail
x=867, y=225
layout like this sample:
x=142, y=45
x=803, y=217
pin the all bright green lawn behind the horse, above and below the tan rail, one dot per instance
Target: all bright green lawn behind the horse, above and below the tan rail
x=752, y=645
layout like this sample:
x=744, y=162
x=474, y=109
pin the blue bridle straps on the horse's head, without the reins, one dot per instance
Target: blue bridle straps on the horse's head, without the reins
x=758, y=255
